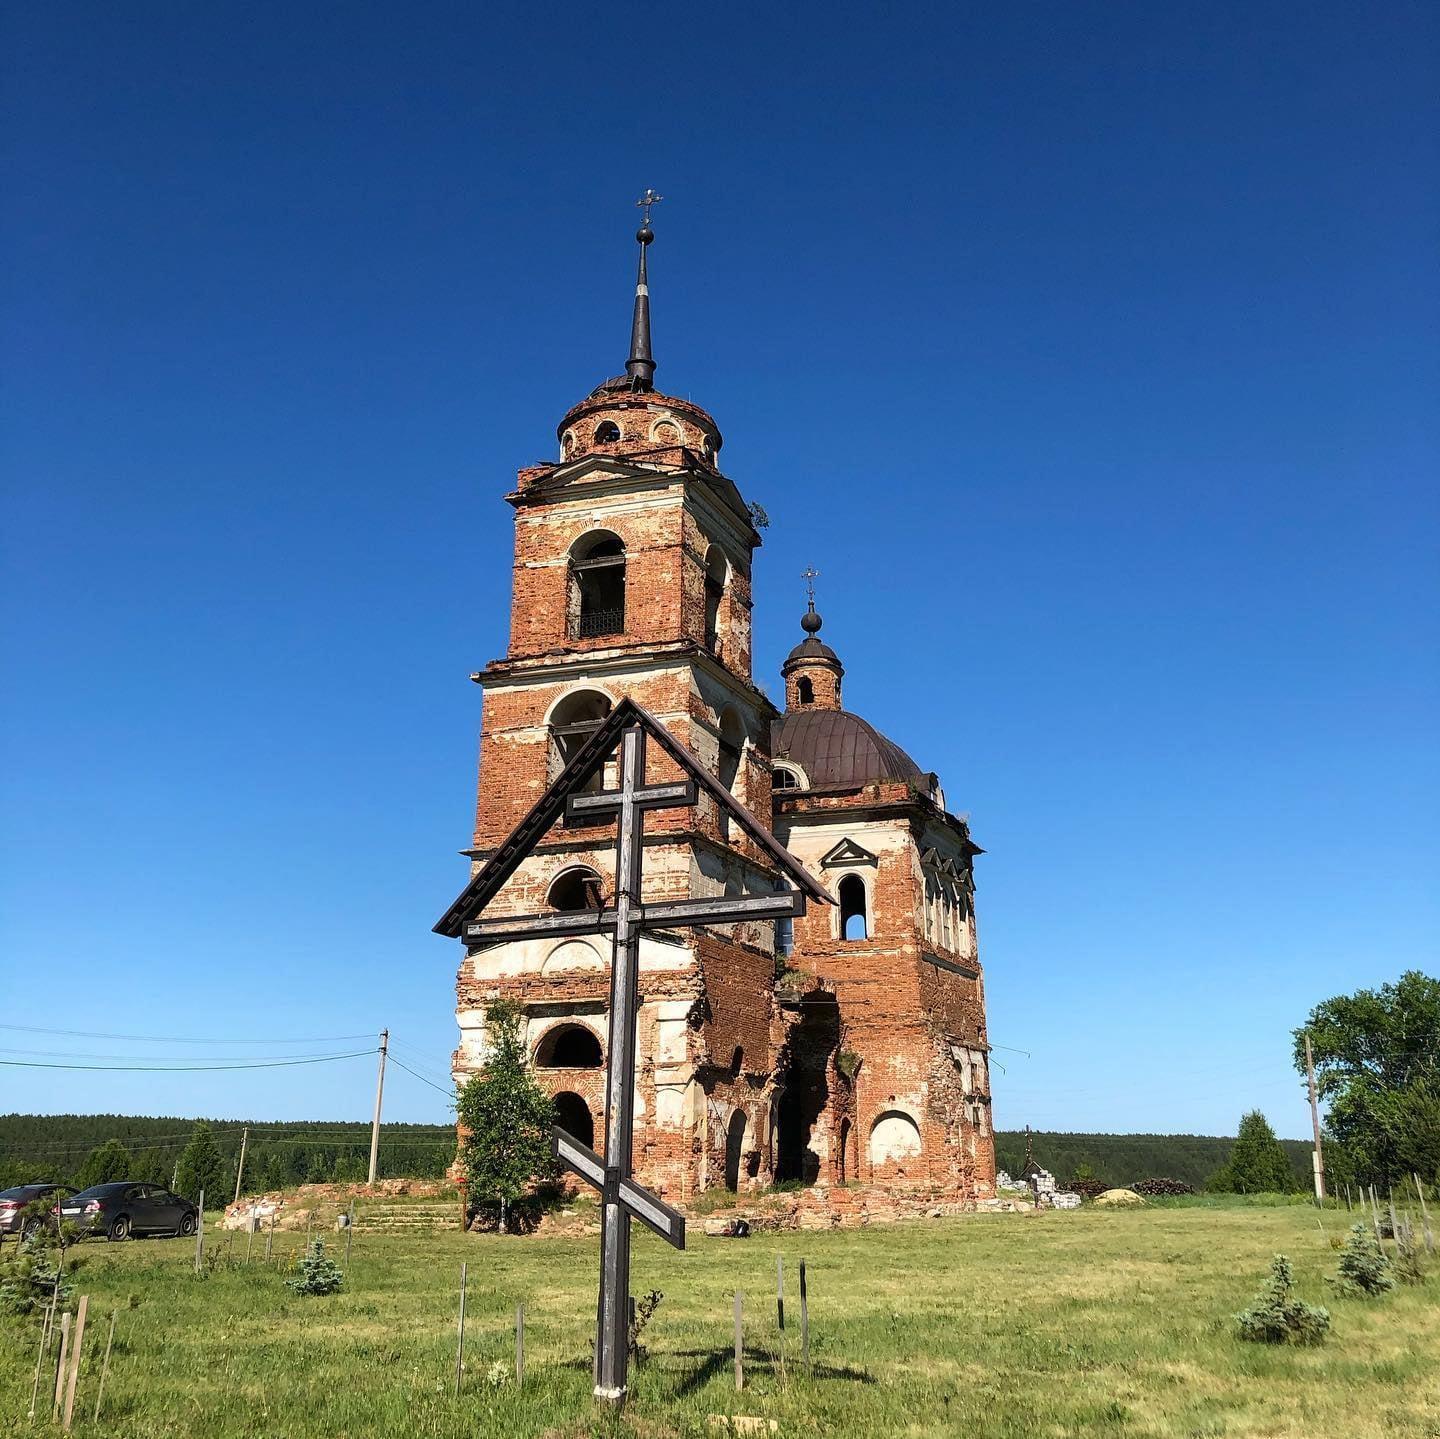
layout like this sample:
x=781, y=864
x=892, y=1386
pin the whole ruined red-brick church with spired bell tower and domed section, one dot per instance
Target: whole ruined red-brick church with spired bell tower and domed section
x=849, y=1045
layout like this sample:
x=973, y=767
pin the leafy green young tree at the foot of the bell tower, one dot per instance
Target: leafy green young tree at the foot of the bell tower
x=506, y=1119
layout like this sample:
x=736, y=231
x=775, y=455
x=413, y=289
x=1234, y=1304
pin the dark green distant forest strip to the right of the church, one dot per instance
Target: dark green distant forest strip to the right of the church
x=1122, y=1159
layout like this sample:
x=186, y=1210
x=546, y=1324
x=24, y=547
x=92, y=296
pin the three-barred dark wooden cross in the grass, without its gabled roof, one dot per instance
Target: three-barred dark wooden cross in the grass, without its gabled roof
x=626, y=921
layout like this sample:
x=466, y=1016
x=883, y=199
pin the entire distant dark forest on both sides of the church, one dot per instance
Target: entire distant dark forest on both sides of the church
x=282, y=1156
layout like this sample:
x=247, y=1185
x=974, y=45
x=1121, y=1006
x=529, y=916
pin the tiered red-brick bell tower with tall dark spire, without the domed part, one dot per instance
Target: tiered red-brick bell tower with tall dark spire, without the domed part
x=633, y=557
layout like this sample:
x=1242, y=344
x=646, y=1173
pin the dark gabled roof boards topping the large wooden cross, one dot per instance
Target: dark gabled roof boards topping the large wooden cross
x=591, y=757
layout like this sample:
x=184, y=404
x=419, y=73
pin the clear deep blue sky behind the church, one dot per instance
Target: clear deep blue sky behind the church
x=1086, y=349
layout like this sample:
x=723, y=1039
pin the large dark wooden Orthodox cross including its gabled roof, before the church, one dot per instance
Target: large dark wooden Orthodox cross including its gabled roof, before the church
x=626, y=920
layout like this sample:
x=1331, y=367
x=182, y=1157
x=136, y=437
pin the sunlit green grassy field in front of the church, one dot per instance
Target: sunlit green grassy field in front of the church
x=1092, y=1323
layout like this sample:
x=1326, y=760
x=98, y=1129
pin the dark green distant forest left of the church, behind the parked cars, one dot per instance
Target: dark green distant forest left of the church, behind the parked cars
x=277, y=1156
